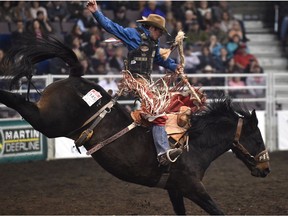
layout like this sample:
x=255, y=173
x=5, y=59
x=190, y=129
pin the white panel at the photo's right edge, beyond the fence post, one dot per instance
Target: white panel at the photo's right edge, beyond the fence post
x=282, y=130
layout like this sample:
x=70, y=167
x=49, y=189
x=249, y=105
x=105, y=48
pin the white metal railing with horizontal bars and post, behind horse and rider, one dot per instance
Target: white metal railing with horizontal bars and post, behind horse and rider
x=270, y=98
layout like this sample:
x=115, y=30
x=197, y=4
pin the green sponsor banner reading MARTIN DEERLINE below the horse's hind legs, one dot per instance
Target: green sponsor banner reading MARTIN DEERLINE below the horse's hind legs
x=19, y=141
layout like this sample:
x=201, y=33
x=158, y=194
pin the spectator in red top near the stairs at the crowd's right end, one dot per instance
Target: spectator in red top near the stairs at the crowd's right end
x=242, y=58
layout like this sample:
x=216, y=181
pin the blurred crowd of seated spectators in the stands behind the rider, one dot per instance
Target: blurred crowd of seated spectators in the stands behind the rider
x=216, y=41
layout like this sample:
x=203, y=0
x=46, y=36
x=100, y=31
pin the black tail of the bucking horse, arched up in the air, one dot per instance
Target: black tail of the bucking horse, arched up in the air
x=19, y=60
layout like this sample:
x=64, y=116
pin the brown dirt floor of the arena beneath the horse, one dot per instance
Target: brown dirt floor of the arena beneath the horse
x=82, y=187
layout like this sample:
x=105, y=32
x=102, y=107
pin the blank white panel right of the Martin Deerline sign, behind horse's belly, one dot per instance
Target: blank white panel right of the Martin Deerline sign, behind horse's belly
x=65, y=148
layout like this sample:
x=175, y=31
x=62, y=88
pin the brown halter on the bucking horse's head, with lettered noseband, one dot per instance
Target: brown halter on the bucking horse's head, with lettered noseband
x=252, y=160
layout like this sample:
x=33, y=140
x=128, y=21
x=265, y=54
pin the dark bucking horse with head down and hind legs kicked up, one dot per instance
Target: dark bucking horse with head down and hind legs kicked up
x=61, y=111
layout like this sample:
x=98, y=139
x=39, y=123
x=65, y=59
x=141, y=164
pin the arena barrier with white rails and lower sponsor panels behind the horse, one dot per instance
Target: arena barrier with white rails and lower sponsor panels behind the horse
x=20, y=142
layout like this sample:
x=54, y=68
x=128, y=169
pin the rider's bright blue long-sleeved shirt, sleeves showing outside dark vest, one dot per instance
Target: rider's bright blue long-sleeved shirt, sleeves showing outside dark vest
x=131, y=38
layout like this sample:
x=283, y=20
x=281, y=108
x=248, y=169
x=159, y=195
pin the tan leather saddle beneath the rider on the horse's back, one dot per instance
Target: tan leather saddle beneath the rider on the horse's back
x=176, y=126
